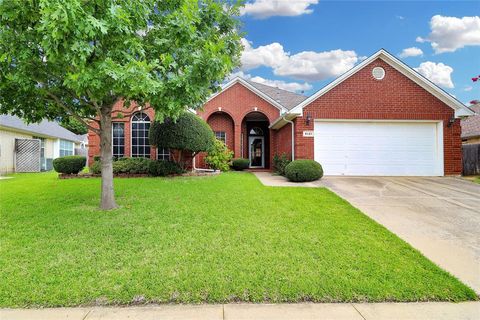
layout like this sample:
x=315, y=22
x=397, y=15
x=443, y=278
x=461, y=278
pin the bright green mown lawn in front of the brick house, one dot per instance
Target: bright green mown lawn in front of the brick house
x=200, y=239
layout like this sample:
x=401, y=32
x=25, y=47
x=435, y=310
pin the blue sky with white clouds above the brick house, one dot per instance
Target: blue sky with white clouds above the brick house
x=304, y=44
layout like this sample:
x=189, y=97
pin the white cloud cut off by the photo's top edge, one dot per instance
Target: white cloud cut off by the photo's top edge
x=262, y=9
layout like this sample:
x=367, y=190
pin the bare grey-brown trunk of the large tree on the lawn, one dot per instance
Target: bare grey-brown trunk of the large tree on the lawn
x=108, y=195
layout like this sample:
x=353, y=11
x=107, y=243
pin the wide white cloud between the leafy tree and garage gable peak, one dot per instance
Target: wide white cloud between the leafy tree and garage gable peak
x=305, y=65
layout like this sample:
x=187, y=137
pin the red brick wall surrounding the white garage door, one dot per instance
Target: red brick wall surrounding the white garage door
x=395, y=97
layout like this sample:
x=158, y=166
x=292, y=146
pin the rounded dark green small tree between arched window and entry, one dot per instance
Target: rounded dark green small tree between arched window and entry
x=187, y=133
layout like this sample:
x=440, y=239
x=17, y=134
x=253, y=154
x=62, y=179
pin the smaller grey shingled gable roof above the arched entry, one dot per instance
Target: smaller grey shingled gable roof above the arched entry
x=281, y=99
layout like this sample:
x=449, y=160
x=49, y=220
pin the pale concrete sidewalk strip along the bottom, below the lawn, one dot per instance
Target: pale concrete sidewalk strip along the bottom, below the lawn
x=302, y=311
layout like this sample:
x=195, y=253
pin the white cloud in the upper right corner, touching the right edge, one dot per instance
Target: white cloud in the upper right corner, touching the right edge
x=451, y=33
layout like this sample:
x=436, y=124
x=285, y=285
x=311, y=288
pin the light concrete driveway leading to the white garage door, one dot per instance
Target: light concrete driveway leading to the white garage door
x=440, y=216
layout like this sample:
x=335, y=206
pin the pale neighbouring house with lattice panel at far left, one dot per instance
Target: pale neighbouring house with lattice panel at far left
x=32, y=147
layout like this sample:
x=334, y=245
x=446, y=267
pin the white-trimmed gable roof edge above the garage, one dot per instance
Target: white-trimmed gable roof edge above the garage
x=460, y=109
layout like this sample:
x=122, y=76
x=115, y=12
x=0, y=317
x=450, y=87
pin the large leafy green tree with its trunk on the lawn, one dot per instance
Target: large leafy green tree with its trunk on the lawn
x=79, y=57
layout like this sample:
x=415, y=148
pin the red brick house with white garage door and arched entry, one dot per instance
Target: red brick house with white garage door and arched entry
x=379, y=118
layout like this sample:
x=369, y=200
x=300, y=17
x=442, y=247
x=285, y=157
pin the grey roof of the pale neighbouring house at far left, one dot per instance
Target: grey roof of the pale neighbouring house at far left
x=45, y=128
